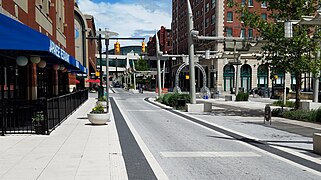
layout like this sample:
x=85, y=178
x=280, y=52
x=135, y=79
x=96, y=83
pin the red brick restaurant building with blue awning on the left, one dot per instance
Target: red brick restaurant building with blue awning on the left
x=37, y=62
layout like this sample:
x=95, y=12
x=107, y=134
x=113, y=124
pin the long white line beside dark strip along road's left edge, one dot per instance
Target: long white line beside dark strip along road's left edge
x=159, y=173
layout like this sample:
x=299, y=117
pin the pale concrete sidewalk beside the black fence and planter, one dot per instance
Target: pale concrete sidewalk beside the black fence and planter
x=75, y=150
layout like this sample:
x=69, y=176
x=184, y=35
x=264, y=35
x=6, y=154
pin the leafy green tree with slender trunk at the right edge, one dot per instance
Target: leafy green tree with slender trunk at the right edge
x=295, y=55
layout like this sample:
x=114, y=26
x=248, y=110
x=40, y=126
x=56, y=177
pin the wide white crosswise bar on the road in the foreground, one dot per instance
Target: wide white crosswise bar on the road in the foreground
x=208, y=154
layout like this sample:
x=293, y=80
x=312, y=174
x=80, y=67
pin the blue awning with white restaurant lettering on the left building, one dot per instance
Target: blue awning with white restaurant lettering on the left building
x=18, y=38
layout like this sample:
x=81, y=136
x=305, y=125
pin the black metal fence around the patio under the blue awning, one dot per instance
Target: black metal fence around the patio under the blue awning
x=38, y=116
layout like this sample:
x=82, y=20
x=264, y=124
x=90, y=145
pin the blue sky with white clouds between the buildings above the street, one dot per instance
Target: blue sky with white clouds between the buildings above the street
x=129, y=18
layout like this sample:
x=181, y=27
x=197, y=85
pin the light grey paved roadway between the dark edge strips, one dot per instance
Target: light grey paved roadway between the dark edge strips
x=177, y=148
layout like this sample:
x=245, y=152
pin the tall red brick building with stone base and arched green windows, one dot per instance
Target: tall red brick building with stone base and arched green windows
x=217, y=18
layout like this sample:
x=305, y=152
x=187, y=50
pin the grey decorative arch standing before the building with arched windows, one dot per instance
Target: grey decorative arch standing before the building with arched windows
x=205, y=90
